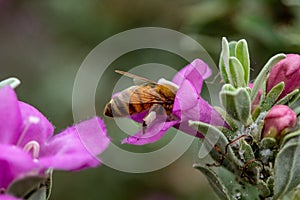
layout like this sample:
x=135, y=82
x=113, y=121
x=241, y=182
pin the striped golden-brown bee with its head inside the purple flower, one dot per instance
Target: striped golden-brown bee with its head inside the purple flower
x=145, y=96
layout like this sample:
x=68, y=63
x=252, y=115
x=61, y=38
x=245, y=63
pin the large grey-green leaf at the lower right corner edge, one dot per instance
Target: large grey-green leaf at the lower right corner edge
x=287, y=167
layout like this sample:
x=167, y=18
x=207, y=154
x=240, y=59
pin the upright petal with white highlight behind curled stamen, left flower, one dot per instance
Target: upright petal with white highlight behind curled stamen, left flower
x=35, y=125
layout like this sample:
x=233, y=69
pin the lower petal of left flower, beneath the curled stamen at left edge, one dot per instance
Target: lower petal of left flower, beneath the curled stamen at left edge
x=14, y=163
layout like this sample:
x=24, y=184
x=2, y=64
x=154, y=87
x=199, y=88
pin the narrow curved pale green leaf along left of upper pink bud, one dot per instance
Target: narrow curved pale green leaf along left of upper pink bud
x=264, y=73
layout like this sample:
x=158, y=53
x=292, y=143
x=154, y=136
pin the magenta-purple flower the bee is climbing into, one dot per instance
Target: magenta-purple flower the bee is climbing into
x=188, y=105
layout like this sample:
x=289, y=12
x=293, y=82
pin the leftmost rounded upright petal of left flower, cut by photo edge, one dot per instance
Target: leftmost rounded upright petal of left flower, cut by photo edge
x=10, y=116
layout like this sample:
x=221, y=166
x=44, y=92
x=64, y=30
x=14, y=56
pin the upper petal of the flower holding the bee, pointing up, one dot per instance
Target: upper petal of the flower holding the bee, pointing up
x=195, y=72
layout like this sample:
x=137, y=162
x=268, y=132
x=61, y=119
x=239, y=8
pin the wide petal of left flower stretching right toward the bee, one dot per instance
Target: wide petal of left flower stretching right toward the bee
x=76, y=147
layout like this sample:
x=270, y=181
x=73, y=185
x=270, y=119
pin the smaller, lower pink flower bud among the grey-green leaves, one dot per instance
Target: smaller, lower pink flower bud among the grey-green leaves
x=278, y=120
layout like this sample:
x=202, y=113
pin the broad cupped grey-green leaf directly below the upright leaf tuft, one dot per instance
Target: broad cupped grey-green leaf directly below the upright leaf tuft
x=237, y=104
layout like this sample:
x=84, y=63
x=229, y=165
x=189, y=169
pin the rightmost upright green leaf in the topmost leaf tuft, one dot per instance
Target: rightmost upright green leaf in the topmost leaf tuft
x=242, y=54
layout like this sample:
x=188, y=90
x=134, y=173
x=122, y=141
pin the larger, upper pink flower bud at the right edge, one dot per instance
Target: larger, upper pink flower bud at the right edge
x=288, y=71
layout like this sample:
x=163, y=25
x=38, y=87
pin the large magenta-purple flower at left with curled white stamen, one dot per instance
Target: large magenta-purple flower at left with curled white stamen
x=28, y=147
